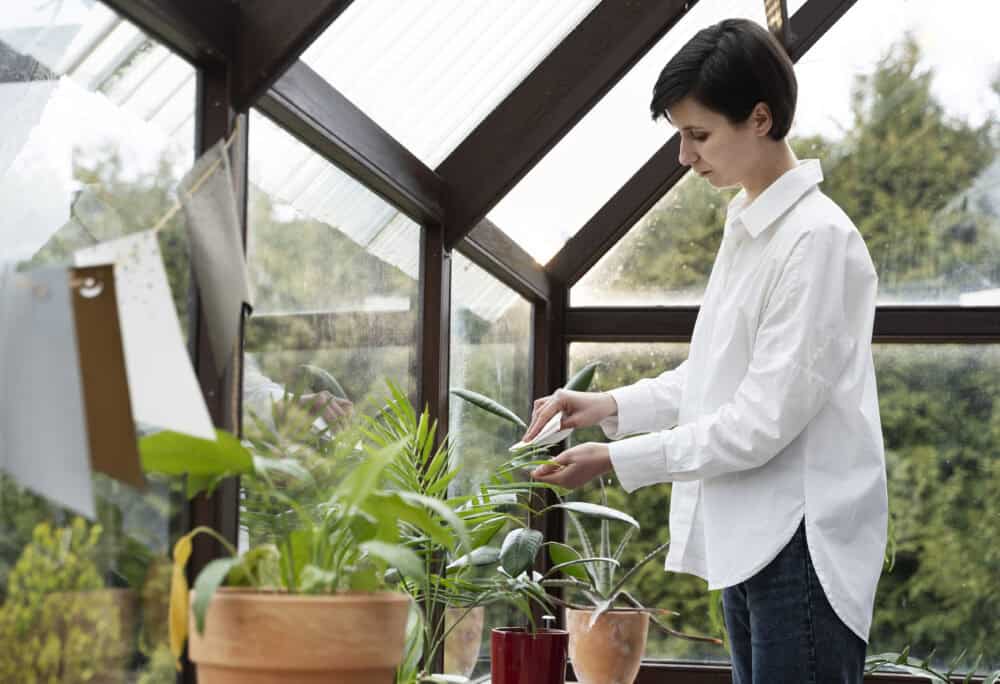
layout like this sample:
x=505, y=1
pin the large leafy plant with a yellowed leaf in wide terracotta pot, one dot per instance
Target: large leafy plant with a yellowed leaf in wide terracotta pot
x=309, y=600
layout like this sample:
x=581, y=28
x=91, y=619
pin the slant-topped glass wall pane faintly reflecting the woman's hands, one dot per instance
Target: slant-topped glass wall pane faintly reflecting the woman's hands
x=334, y=271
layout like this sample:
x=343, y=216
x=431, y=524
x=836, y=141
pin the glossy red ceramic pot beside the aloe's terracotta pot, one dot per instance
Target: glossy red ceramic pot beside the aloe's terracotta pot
x=519, y=657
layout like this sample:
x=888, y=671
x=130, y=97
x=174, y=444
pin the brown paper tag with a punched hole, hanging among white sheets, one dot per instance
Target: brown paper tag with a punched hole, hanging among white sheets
x=106, y=401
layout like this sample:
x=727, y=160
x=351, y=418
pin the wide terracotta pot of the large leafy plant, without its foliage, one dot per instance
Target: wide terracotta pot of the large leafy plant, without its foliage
x=255, y=637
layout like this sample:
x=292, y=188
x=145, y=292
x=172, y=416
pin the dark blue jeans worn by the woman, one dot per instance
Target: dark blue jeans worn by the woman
x=782, y=629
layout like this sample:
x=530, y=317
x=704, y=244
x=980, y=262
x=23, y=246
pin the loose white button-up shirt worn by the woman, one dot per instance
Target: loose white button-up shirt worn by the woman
x=775, y=408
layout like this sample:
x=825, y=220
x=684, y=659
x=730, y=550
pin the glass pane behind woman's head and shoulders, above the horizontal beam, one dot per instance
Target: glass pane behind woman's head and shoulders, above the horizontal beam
x=898, y=100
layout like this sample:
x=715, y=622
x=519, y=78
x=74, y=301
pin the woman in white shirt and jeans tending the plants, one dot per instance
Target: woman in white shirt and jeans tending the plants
x=776, y=454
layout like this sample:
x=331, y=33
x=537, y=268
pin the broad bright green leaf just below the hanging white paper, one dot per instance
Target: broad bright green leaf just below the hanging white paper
x=173, y=453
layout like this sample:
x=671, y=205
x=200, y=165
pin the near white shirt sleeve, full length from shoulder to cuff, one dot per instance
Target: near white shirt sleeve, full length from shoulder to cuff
x=802, y=344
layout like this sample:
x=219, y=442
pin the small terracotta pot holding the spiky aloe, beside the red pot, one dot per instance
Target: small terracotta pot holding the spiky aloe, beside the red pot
x=611, y=651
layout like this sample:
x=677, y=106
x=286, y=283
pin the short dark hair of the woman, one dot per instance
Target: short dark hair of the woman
x=730, y=67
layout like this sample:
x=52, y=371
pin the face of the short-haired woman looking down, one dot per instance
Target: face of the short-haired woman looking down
x=722, y=153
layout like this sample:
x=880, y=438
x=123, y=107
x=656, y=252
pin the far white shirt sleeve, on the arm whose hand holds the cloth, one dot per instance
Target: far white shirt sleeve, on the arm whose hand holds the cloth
x=648, y=405
